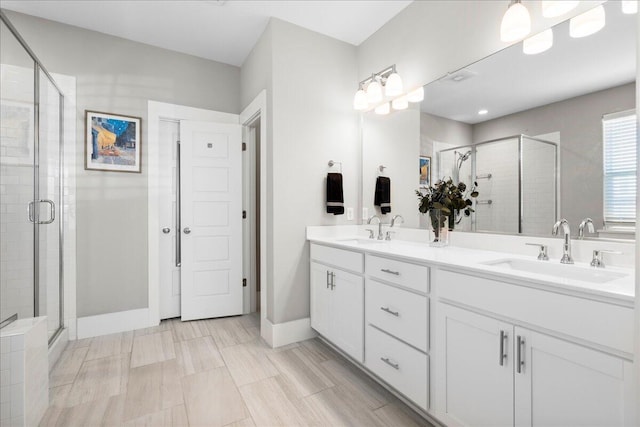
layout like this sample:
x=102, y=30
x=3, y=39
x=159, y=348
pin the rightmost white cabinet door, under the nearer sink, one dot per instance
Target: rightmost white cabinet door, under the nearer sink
x=561, y=383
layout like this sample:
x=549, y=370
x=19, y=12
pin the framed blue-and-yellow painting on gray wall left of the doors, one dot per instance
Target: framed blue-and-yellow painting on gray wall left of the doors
x=112, y=142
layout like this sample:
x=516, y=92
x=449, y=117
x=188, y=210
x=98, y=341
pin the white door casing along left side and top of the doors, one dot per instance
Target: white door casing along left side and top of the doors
x=156, y=112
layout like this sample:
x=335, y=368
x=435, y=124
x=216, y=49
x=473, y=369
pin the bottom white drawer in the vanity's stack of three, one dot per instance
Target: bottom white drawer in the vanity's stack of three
x=401, y=366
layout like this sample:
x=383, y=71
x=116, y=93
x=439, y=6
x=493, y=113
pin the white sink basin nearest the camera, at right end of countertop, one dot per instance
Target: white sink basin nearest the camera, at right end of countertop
x=554, y=269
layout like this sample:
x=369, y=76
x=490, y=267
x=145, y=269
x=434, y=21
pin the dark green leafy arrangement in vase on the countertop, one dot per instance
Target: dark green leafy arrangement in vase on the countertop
x=448, y=200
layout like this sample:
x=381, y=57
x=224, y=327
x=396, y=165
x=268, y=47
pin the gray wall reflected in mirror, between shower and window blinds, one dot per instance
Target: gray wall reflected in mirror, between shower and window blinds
x=579, y=121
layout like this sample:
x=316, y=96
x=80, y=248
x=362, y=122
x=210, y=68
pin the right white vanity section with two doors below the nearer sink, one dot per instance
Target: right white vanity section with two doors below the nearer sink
x=495, y=371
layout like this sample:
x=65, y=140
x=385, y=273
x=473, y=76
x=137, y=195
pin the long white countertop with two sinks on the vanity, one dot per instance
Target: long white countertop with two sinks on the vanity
x=461, y=259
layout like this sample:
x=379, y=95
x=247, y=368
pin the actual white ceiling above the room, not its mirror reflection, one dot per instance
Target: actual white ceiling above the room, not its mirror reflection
x=223, y=31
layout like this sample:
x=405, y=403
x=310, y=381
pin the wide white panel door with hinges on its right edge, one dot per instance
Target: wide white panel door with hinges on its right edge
x=211, y=217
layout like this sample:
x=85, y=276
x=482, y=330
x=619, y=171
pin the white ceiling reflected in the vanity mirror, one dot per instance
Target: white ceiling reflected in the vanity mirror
x=510, y=81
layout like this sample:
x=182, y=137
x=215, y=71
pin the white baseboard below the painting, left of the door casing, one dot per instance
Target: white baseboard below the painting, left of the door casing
x=110, y=323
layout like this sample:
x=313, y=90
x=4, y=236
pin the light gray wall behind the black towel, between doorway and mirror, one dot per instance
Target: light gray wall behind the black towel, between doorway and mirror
x=312, y=79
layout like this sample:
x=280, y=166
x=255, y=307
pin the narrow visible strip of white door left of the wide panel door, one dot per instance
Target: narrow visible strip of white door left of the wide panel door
x=169, y=266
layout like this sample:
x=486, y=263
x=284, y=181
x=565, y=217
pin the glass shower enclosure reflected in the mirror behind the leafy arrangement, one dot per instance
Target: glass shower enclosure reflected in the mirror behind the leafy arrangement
x=517, y=180
